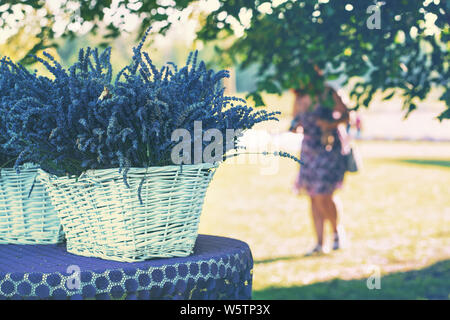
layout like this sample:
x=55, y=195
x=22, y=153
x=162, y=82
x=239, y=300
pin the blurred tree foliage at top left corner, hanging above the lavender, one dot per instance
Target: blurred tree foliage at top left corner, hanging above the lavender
x=66, y=18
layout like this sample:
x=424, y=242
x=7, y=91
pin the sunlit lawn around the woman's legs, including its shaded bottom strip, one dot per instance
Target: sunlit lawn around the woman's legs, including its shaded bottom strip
x=396, y=214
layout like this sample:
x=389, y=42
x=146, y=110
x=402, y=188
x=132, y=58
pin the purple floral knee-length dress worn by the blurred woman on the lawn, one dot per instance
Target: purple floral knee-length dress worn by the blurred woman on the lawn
x=324, y=165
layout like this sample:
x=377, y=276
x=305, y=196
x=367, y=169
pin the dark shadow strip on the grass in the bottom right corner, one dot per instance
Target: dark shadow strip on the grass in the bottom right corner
x=432, y=282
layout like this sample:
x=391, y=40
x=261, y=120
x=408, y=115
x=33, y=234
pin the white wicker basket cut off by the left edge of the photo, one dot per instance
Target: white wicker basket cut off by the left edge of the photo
x=26, y=213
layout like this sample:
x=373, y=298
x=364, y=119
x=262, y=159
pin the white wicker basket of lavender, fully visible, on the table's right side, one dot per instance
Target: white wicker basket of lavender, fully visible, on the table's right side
x=104, y=218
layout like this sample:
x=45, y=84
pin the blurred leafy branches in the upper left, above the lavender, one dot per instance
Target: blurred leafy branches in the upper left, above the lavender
x=89, y=12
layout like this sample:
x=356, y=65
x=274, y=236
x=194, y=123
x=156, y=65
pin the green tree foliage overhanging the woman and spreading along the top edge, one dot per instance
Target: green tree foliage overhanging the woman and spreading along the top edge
x=396, y=46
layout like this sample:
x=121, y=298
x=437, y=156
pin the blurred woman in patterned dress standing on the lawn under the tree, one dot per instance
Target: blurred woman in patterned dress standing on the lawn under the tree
x=324, y=144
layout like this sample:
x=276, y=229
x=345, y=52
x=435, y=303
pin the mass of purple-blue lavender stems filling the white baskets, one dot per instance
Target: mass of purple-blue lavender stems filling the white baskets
x=84, y=119
